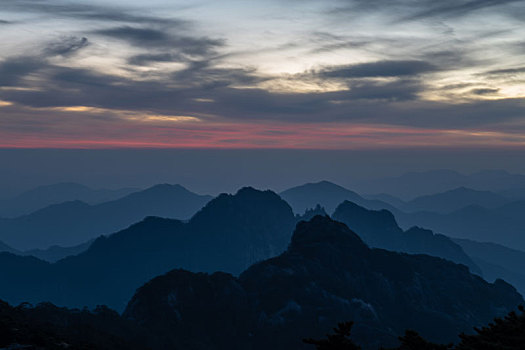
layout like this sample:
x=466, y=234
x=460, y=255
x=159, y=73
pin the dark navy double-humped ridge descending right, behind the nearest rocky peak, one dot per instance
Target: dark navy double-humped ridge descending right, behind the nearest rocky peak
x=379, y=229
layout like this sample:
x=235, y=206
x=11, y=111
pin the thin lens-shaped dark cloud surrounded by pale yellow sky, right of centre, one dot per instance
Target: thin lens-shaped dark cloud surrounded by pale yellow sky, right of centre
x=379, y=69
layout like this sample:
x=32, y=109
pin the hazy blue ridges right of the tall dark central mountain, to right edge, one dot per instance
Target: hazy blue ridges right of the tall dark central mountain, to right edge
x=460, y=212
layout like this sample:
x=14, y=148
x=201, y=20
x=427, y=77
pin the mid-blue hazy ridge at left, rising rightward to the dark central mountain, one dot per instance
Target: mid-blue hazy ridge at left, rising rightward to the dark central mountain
x=73, y=223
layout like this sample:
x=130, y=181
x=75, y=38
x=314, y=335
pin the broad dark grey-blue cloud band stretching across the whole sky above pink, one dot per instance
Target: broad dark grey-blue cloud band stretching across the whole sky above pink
x=393, y=103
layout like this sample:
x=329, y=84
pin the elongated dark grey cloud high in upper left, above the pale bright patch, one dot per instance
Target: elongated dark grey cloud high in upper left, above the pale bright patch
x=161, y=38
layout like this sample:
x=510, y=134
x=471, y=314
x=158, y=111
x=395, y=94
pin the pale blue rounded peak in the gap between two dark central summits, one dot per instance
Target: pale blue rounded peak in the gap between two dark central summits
x=326, y=194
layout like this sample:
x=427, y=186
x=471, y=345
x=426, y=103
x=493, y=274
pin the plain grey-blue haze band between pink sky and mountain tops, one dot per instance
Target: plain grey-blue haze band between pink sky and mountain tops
x=214, y=171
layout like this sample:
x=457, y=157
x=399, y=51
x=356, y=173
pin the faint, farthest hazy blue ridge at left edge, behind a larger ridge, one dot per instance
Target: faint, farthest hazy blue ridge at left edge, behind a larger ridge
x=44, y=196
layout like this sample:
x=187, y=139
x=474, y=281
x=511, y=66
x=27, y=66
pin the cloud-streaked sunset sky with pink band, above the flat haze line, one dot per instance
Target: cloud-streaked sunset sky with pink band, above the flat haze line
x=314, y=75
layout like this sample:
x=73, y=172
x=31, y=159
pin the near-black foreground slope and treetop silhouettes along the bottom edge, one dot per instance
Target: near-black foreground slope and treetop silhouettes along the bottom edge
x=47, y=327
